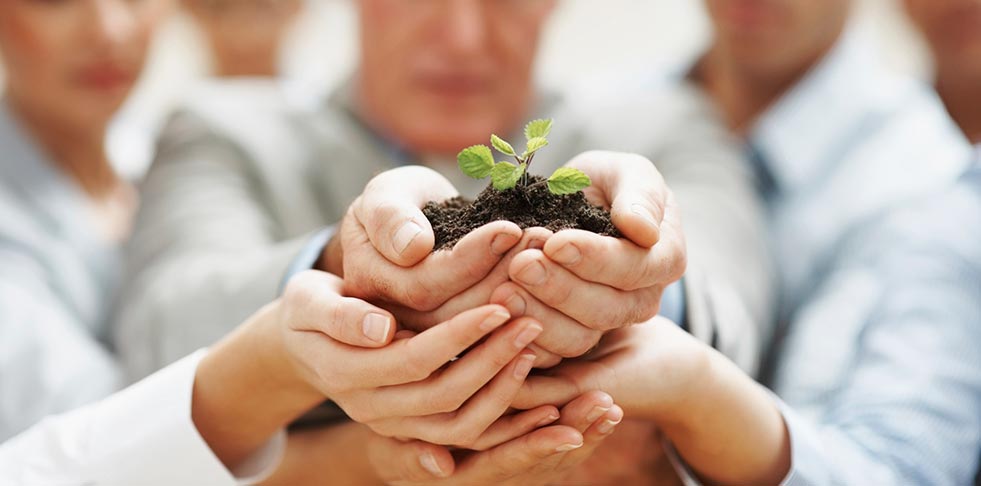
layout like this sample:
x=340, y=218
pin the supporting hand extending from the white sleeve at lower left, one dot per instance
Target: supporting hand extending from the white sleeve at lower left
x=408, y=387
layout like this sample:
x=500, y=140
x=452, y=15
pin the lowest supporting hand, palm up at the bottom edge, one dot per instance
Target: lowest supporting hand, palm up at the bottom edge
x=540, y=457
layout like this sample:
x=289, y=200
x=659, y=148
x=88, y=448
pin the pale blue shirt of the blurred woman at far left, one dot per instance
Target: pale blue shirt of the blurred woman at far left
x=56, y=277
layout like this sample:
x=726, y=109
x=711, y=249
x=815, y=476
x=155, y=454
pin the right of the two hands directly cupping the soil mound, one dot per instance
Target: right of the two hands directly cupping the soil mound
x=599, y=282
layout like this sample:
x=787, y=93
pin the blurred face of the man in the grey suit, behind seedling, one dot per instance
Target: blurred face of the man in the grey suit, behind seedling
x=439, y=75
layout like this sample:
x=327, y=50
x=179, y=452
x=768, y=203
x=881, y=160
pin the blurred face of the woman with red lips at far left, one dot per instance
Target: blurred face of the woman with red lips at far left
x=75, y=59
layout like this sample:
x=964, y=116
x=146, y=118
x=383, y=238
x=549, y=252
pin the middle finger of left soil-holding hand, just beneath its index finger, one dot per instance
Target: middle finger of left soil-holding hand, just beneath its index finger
x=478, y=294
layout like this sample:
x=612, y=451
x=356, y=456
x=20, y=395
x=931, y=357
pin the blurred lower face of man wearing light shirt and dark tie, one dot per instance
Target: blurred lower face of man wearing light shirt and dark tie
x=776, y=35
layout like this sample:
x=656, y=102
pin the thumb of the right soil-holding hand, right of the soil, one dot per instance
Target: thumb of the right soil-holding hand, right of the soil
x=633, y=189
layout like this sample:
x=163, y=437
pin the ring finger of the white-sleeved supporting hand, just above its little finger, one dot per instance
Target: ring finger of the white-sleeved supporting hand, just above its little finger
x=463, y=427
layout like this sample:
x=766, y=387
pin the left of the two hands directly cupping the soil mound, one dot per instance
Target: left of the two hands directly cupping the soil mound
x=384, y=249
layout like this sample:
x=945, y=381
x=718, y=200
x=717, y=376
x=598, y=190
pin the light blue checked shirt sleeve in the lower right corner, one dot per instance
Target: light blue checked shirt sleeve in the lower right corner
x=899, y=402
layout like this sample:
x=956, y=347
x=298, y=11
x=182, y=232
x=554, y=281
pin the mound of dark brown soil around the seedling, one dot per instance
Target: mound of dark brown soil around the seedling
x=527, y=206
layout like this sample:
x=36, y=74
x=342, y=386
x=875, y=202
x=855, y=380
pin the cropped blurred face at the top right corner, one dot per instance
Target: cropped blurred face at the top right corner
x=953, y=30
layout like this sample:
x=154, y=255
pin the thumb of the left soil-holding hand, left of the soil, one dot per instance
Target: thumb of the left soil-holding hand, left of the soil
x=390, y=211
